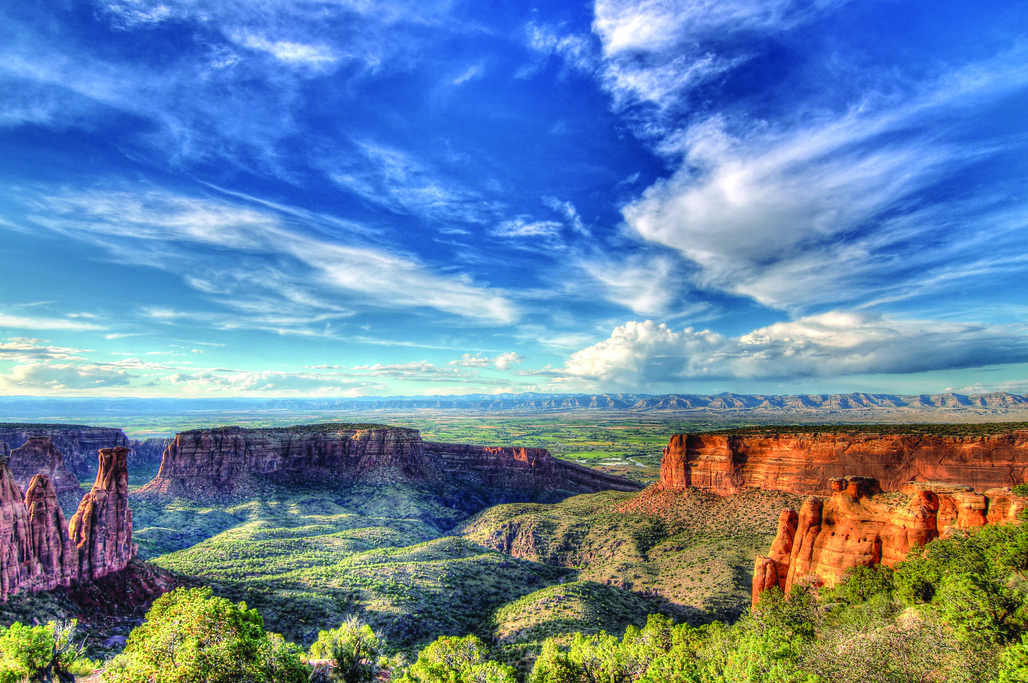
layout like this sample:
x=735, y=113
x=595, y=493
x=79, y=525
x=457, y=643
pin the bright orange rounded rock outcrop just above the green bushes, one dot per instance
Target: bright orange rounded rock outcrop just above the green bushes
x=859, y=526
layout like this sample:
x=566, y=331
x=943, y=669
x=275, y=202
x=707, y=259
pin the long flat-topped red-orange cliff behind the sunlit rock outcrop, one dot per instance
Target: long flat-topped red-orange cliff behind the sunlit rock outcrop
x=806, y=463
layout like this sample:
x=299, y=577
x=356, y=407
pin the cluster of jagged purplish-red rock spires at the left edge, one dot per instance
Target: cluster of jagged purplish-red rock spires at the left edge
x=40, y=551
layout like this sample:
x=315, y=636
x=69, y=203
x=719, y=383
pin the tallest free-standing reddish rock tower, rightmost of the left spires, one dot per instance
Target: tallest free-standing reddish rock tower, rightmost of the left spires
x=101, y=528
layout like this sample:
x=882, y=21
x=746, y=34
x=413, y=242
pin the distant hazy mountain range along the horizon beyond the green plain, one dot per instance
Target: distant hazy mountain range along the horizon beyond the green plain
x=721, y=405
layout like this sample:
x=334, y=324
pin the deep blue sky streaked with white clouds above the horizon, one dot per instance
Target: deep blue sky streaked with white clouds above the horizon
x=347, y=198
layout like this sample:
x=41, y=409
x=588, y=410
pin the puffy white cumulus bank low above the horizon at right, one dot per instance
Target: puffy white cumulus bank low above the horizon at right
x=647, y=354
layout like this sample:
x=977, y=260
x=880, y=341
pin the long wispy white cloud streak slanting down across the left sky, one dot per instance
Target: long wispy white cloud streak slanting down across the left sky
x=276, y=261
